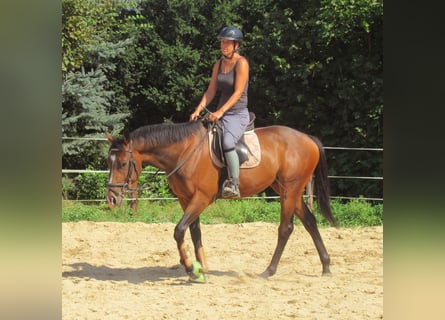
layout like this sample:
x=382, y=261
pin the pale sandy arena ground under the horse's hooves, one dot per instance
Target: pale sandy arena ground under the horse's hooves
x=131, y=271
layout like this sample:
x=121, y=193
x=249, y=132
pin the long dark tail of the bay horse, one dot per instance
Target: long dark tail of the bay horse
x=322, y=184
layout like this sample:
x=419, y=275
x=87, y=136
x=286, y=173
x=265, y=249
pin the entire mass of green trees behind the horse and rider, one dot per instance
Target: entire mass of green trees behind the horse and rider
x=314, y=65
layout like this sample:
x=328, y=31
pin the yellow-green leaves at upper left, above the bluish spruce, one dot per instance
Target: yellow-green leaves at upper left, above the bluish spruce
x=90, y=27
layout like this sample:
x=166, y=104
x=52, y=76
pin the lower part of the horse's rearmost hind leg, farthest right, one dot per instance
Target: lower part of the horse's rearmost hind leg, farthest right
x=310, y=224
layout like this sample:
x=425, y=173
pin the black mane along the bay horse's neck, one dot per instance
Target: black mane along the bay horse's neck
x=165, y=133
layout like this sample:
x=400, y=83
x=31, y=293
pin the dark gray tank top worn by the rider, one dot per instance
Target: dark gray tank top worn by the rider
x=225, y=83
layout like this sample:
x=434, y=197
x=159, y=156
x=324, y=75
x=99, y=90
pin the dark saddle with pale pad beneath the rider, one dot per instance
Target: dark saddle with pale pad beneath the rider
x=247, y=148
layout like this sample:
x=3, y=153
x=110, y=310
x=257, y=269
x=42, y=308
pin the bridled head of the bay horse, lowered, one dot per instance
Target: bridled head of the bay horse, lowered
x=124, y=169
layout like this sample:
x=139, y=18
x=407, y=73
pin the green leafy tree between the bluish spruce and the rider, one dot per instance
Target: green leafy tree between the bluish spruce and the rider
x=170, y=64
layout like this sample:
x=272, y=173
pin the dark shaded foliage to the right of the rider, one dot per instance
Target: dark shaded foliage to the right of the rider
x=319, y=68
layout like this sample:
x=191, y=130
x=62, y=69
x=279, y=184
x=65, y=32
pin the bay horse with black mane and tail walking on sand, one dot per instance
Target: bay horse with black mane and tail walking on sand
x=289, y=158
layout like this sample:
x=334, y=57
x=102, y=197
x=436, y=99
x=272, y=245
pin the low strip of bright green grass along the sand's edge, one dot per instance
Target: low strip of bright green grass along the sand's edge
x=350, y=214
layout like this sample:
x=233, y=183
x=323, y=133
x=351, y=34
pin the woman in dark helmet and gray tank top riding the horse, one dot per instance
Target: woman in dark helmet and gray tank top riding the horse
x=230, y=76
